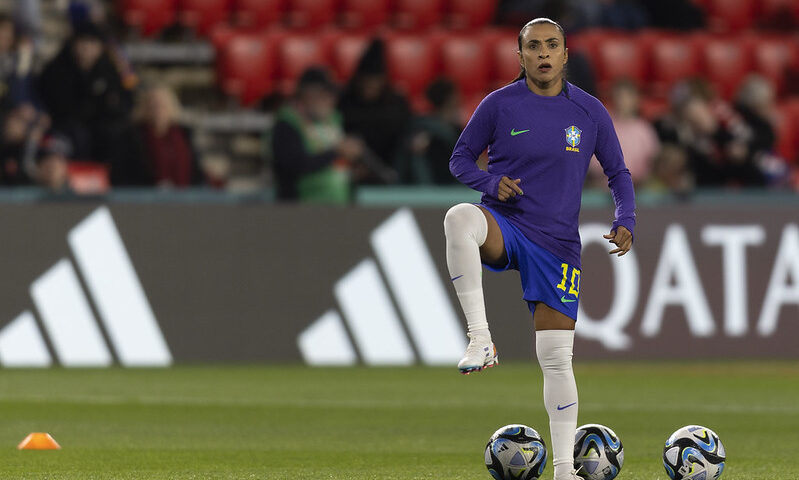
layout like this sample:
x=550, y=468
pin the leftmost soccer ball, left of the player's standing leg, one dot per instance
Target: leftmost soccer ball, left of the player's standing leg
x=516, y=452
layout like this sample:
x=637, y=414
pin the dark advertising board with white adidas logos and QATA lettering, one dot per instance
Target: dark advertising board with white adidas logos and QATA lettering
x=265, y=283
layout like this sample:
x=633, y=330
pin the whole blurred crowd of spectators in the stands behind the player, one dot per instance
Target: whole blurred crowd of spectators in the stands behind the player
x=84, y=111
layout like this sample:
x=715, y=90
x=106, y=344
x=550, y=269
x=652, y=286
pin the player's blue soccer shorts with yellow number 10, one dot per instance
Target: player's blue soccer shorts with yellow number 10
x=545, y=277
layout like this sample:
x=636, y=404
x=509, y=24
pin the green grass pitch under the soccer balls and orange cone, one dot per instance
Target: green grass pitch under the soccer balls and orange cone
x=377, y=423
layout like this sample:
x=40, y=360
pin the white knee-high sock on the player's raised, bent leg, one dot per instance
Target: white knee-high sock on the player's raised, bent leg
x=466, y=229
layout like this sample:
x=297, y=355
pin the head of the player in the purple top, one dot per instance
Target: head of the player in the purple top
x=543, y=55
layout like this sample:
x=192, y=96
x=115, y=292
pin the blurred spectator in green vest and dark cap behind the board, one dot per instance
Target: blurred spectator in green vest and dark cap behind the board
x=312, y=157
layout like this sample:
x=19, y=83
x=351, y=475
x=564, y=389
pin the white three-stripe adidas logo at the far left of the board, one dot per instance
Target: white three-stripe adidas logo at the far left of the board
x=66, y=313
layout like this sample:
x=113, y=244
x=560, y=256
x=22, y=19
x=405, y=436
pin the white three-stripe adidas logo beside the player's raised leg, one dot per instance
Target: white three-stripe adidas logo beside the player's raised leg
x=366, y=307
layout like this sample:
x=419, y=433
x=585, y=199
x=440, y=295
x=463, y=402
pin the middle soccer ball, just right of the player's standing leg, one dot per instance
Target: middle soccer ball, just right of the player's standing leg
x=598, y=450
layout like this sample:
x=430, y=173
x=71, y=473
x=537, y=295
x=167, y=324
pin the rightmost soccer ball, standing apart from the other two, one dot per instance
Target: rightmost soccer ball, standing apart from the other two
x=694, y=453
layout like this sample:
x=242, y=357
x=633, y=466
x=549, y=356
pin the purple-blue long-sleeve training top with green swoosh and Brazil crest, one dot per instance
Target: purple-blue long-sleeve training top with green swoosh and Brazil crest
x=547, y=142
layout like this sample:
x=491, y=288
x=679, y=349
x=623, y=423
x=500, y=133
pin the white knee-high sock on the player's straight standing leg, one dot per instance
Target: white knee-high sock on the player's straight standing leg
x=554, y=350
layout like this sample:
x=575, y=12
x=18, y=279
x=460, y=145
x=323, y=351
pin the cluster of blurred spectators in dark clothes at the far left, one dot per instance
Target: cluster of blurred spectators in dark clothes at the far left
x=82, y=116
